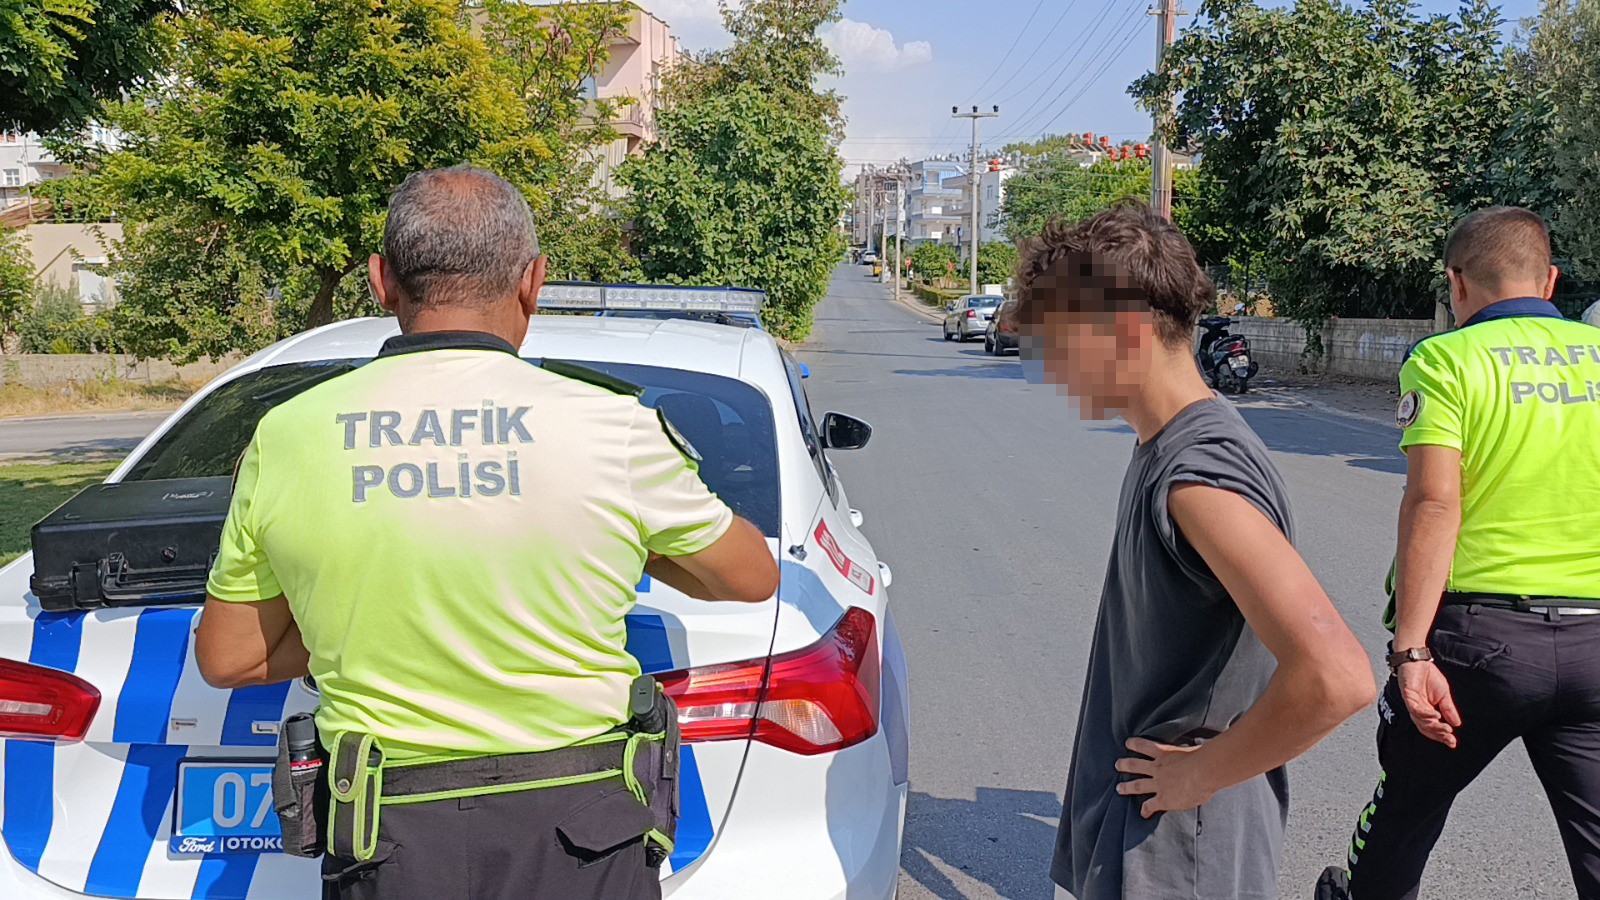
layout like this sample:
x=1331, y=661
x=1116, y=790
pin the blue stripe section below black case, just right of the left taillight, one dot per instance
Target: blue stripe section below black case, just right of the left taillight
x=159, y=651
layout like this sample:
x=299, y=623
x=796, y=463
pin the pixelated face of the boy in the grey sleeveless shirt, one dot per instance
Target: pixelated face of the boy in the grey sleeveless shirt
x=1092, y=335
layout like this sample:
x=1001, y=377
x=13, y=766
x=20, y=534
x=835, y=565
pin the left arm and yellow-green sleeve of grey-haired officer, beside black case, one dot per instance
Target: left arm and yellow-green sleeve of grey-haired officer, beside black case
x=247, y=635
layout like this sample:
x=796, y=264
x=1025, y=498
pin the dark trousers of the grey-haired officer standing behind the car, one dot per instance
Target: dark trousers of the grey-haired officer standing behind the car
x=572, y=843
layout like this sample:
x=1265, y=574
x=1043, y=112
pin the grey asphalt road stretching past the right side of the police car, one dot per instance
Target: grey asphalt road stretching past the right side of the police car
x=994, y=505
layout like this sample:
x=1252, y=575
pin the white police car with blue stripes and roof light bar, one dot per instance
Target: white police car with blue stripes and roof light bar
x=794, y=712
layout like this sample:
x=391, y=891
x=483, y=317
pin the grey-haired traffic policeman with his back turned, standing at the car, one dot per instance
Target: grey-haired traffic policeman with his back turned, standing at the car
x=447, y=540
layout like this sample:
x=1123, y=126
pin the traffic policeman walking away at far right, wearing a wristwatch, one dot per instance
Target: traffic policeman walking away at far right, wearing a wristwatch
x=1498, y=571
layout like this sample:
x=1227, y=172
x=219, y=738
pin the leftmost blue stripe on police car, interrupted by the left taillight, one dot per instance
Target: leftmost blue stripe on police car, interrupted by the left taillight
x=31, y=766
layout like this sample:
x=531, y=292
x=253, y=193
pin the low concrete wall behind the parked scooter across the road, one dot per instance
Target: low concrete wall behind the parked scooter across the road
x=1356, y=348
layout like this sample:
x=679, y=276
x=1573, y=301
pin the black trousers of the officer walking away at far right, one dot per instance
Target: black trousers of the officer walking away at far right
x=1514, y=675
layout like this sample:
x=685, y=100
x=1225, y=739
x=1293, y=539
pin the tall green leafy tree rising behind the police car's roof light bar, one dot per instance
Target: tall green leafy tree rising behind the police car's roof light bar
x=743, y=187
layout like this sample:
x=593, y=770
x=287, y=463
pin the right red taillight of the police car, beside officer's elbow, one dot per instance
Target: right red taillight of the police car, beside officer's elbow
x=814, y=701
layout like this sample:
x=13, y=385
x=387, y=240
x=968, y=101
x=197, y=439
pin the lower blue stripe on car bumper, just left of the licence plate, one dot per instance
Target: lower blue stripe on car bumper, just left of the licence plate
x=150, y=779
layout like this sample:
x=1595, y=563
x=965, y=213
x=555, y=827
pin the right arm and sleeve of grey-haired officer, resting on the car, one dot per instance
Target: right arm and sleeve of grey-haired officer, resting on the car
x=697, y=544
